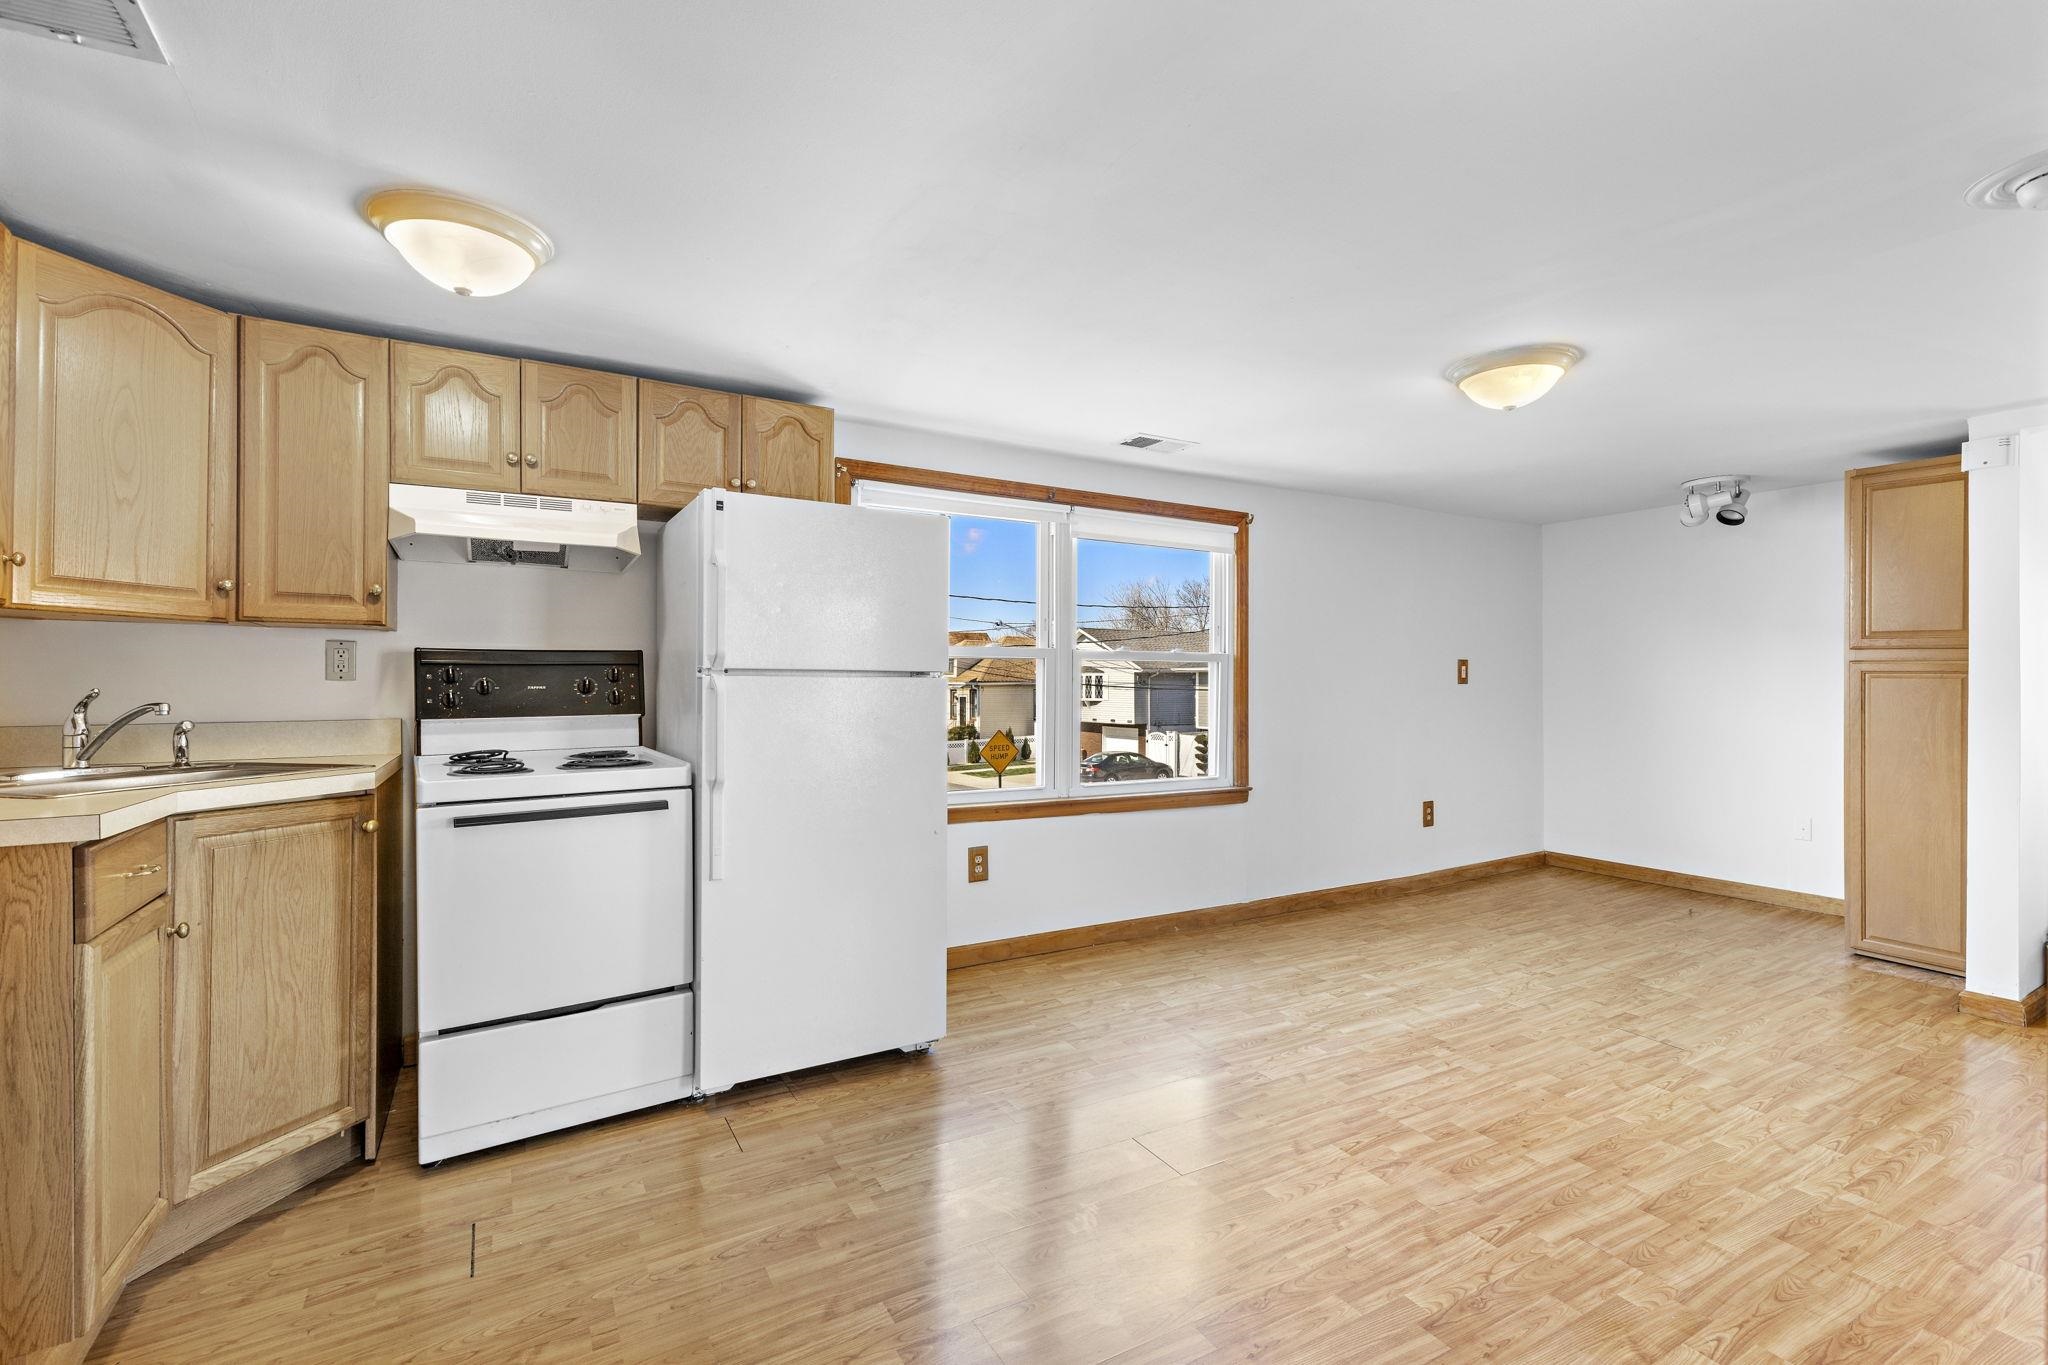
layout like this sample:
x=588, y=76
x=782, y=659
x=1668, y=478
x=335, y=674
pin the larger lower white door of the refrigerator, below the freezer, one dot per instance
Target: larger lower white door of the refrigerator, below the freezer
x=820, y=918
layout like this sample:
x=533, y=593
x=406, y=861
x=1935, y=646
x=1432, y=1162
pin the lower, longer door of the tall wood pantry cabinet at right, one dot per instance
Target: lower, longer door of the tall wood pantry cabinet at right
x=1908, y=723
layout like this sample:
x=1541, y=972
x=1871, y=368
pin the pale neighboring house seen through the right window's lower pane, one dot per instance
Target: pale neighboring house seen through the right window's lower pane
x=1129, y=701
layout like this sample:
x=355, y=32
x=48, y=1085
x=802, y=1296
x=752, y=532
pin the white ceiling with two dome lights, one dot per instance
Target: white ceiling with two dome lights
x=1258, y=226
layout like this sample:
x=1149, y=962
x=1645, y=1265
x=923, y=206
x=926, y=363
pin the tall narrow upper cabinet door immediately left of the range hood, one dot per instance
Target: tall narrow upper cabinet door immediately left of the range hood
x=316, y=470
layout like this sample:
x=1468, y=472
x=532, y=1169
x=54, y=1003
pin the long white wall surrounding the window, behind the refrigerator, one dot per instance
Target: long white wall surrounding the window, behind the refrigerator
x=1359, y=617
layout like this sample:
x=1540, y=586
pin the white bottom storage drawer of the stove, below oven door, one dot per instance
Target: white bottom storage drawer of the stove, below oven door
x=513, y=1069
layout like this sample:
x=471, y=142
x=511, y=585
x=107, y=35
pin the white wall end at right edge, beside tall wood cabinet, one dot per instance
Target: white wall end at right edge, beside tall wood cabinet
x=2008, y=840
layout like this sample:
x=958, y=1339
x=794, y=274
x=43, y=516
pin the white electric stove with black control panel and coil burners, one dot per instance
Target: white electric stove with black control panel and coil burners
x=554, y=897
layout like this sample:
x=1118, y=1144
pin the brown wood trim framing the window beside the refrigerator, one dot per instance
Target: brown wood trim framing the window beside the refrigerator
x=847, y=474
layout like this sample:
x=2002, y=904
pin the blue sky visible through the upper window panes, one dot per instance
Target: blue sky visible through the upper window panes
x=996, y=560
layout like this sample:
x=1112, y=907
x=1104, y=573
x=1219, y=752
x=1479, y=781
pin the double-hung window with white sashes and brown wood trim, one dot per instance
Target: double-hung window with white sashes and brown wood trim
x=1101, y=637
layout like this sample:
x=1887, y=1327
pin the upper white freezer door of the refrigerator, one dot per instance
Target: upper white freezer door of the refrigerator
x=822, y=588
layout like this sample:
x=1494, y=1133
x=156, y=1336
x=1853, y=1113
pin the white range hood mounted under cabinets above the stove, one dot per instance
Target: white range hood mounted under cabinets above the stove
x=468, y=527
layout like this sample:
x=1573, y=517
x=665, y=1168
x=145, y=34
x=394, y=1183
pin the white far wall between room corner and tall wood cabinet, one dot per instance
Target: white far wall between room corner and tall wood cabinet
x=1693, y=691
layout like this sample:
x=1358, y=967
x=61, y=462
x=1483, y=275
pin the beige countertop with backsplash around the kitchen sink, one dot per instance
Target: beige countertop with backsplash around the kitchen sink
x=351, y=756
